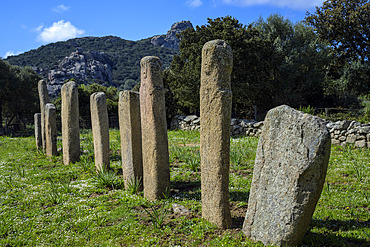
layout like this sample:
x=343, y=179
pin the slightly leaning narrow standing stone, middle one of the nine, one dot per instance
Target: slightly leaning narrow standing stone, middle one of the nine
x=100, y=128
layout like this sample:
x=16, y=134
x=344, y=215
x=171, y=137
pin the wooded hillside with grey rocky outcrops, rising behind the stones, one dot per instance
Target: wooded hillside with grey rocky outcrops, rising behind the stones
x=109, y=61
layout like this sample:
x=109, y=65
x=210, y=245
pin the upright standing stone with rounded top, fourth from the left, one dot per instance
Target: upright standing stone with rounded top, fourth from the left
x=70, y=123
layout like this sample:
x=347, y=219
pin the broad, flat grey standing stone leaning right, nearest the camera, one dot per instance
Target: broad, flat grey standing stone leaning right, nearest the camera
x=289, y=172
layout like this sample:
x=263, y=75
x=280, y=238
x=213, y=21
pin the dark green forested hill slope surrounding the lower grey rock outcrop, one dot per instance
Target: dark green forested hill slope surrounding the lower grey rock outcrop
x=124, y=56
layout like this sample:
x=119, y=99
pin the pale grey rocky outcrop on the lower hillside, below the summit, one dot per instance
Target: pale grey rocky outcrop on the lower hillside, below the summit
x=91, y=66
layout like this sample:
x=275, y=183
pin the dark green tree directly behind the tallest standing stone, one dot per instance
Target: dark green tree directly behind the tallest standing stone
x=249, y=53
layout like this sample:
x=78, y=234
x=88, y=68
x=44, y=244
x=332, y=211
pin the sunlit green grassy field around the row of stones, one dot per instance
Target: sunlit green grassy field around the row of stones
x=45, y=203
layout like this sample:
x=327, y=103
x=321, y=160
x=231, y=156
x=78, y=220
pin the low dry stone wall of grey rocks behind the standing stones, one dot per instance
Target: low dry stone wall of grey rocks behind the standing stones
x=342, y=132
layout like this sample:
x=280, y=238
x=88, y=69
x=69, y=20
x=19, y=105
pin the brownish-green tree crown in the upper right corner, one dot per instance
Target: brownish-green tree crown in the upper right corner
x=345, y=25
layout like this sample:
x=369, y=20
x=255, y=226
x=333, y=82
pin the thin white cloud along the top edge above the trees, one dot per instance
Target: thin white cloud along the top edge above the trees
x=295, y=4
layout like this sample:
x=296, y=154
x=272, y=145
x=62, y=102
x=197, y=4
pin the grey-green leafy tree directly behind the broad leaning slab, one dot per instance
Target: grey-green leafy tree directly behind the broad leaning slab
x=298, y=62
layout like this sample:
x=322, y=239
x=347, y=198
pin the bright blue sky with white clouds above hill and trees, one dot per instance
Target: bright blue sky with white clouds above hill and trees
x=27, y=25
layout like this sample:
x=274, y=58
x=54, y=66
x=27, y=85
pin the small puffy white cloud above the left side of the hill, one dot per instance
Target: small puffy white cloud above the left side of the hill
x=59, y=31
